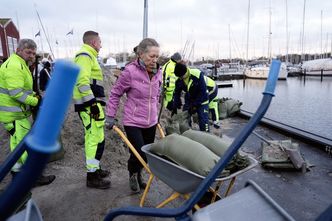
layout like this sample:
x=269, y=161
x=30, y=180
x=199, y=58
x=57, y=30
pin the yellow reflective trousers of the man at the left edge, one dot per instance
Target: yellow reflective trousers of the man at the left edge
x=17, y=130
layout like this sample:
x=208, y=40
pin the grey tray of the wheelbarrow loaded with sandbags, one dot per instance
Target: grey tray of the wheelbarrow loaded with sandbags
x=181, y=179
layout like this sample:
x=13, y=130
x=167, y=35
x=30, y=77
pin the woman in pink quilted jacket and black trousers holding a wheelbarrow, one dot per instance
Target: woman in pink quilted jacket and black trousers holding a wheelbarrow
x=141, y=81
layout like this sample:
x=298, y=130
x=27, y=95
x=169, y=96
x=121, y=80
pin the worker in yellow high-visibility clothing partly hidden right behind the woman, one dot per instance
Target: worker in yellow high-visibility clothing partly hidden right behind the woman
x=169, y=79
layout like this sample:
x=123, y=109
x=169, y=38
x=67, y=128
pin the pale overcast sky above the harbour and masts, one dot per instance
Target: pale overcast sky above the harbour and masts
x=202, y=23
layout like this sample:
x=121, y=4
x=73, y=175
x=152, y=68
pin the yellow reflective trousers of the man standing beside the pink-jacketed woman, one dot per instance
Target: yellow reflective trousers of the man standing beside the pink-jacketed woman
x=94, y=138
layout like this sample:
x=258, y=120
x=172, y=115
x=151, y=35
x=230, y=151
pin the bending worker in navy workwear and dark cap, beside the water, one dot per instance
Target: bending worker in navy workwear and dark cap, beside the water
x=192, y=82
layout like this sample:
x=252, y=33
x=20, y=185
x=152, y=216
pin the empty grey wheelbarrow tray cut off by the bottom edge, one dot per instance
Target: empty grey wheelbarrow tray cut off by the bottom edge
x=250, y=203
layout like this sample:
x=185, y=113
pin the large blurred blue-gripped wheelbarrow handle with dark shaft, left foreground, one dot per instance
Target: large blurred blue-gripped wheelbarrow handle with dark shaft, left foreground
x=41, y=142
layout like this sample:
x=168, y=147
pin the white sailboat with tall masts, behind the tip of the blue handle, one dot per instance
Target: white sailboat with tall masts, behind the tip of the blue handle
x=259, y=69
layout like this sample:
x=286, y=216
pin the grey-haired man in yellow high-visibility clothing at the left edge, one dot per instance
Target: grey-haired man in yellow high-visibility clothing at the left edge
x=17, y=99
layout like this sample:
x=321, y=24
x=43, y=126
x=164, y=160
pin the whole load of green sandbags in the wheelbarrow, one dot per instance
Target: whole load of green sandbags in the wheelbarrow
x=198, y=152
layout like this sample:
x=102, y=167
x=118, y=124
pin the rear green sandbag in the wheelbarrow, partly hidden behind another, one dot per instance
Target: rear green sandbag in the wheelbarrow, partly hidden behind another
x=212, y=142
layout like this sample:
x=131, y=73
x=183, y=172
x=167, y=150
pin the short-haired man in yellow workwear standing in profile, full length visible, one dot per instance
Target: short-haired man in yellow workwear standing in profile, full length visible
x=89, y=101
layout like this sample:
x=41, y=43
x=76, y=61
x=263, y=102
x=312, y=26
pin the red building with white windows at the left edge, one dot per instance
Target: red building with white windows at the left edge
x=9, y=37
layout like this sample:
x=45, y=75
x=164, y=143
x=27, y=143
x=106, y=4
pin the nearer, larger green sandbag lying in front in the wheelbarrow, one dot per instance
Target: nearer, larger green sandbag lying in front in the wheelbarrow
x=187, y=153
